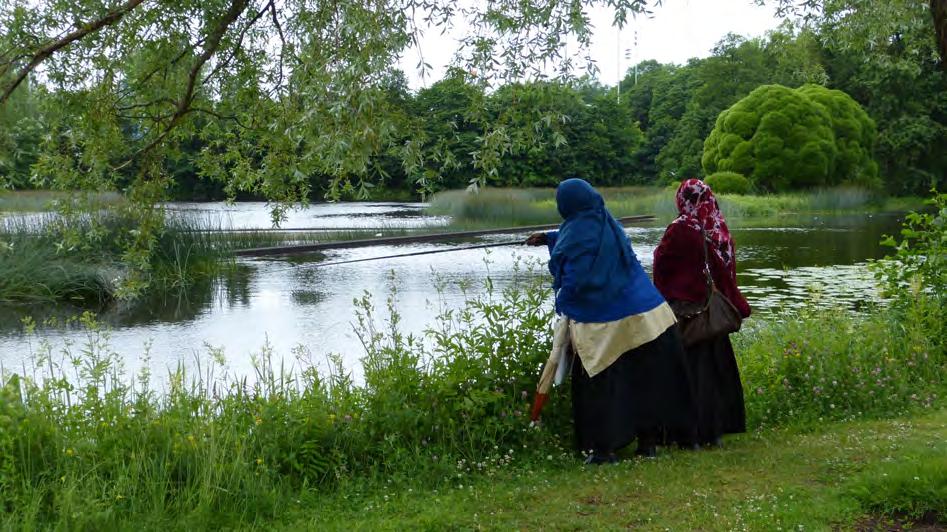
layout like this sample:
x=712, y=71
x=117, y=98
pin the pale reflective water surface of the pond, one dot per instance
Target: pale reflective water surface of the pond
x=286, y=303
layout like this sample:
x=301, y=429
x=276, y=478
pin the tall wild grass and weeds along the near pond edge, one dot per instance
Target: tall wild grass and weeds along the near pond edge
x=84, y=446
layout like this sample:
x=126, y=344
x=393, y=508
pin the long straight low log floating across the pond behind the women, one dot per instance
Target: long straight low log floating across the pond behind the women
x=413, y=239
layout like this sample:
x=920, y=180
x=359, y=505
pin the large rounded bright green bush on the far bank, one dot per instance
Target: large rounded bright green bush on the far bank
x=784, y=139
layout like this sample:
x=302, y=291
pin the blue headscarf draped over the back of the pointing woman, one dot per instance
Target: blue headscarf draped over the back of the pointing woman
x=595, y=272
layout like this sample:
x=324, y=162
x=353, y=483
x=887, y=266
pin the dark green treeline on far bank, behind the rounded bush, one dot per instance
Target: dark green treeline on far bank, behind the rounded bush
x=650, y=130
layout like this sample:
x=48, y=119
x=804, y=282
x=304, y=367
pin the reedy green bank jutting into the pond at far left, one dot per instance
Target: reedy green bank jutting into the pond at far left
x=83, y=258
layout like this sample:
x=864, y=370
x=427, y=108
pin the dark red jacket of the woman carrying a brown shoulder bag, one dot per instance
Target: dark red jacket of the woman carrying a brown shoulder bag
x=679, y=265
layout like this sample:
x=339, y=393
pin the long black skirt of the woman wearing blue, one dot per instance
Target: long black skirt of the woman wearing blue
x=642, y=393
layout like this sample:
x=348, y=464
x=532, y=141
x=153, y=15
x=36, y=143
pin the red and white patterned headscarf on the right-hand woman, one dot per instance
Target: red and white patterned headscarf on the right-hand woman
x=699, y=209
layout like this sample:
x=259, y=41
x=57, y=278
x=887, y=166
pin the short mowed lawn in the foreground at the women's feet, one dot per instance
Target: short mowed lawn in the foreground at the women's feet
x=847, y=476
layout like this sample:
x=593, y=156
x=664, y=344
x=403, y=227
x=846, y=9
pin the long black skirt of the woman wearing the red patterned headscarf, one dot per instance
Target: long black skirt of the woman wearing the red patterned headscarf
x=717, y=387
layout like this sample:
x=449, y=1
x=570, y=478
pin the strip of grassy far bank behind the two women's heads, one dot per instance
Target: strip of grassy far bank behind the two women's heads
x=493, y=206
